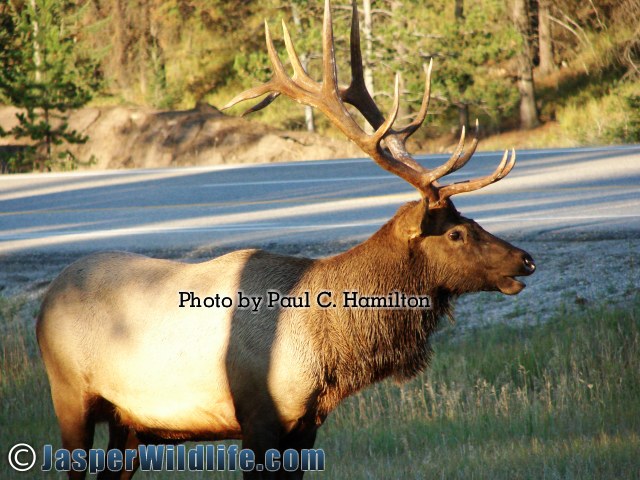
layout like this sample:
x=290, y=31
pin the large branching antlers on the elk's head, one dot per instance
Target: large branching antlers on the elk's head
x=328, y=97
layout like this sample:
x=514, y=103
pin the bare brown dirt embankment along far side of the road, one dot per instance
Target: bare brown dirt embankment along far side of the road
x=135, y=137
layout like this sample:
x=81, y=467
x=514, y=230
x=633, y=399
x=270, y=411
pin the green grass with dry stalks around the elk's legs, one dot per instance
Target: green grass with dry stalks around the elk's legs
x=559, y=400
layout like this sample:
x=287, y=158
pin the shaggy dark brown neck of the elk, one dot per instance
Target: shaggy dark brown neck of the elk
x=363, y=345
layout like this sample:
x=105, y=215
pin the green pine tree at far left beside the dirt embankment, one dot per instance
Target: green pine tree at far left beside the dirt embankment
x=42, y=74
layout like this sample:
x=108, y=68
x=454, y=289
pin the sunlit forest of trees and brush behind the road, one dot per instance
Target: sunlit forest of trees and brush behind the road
x=551, y=73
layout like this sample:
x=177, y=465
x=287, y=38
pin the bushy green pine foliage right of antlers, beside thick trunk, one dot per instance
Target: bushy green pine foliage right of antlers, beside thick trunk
x=470, y=45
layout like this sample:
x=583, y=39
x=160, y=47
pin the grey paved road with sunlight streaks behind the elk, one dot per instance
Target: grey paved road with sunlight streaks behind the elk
x=567, y=192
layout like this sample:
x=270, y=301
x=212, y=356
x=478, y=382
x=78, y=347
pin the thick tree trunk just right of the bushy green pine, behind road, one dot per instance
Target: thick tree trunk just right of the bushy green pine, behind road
x=528, y=112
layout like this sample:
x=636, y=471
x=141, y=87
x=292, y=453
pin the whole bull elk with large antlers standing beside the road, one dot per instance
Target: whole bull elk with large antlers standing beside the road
x=118, y=347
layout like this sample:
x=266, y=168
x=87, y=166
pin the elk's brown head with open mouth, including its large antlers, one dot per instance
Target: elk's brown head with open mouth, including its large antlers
x=466, y=257
